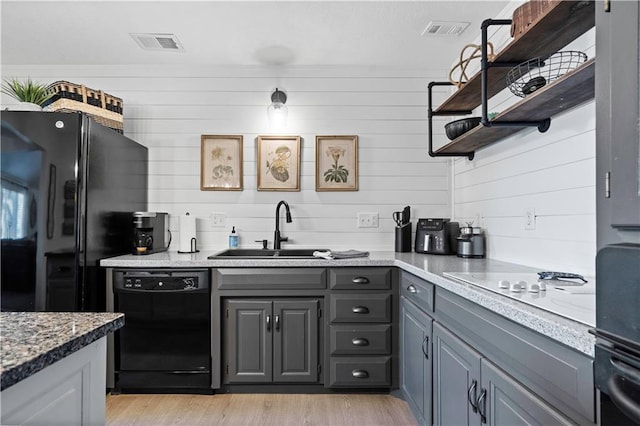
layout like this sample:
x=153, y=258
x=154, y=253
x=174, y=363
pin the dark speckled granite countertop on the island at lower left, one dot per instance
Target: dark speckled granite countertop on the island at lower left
x=31, y=341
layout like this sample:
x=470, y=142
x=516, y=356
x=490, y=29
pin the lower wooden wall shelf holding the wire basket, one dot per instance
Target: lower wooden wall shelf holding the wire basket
x=564, y=93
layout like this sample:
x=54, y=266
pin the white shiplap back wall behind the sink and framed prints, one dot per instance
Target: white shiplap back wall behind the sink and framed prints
x=168, y=109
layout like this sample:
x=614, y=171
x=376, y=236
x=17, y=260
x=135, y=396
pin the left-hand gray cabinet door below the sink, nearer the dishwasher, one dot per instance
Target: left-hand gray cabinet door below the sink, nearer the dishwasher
x=247, y=341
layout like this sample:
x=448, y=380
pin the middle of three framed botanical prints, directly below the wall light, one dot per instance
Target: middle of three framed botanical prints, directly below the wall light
x=278, y=163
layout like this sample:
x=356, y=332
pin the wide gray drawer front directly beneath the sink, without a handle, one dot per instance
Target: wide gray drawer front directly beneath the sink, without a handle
x=269, y=278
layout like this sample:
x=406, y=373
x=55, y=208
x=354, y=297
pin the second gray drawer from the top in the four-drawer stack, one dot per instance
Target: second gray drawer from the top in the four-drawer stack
x=360, y=307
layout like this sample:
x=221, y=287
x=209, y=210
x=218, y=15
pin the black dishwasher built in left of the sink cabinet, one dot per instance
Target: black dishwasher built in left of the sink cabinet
x=164, y=345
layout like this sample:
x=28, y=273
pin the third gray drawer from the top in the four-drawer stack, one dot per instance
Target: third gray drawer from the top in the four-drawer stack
x=360, y=340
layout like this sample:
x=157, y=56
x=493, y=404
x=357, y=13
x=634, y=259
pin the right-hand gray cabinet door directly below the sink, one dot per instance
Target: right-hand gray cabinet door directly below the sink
x=295, y=340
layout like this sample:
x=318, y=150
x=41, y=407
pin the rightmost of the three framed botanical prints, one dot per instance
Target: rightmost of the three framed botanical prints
x=336, y=163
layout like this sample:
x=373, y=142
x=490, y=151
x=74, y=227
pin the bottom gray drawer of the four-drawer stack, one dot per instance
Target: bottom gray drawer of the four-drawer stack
x=365, y=372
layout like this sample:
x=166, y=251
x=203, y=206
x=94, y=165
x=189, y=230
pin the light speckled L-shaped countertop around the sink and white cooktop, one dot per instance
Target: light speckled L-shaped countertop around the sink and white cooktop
x=555, y=325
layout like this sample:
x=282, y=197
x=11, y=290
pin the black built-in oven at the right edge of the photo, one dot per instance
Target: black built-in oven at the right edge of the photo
x=617, y=361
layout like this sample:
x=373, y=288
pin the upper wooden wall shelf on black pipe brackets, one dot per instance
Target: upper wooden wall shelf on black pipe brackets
x=564, y=22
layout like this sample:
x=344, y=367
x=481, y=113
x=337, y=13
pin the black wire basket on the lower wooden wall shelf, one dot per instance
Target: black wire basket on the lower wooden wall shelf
x=529, y=76
